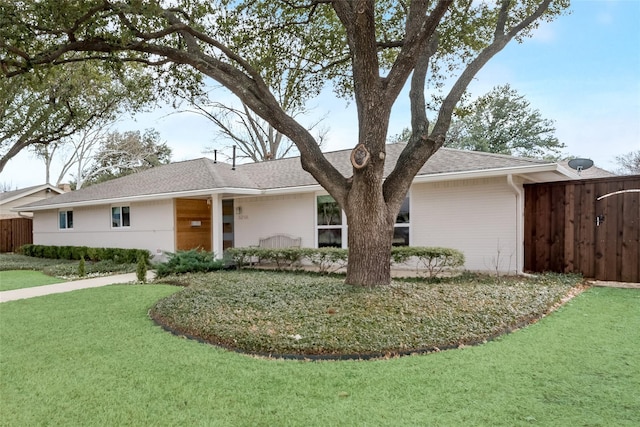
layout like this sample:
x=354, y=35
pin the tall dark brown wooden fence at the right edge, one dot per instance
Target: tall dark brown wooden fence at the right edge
x=590, y=227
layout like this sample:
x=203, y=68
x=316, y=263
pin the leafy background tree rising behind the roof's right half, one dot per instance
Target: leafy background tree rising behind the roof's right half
x=503, y=121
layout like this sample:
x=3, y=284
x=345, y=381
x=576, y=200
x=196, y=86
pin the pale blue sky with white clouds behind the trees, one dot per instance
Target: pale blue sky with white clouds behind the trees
x=582, y=71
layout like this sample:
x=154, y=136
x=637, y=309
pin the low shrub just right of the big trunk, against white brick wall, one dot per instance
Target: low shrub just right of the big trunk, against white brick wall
x=433, y=259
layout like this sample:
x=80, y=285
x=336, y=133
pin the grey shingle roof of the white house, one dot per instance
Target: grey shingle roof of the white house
x=204, y=176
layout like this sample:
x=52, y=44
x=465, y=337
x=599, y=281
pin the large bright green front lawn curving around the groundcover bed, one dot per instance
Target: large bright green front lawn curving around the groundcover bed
x=93, y=357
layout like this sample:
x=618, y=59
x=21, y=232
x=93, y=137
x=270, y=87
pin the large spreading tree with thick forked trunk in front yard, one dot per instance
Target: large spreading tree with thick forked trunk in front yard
x=370, y=50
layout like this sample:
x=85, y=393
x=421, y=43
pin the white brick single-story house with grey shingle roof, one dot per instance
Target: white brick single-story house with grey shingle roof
x=466, y=200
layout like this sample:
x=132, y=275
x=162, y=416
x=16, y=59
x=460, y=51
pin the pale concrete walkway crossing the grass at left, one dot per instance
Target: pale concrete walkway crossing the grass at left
x=70, y=286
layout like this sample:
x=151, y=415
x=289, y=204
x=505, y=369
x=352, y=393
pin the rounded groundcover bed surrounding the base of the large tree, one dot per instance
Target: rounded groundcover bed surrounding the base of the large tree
x=306, y=315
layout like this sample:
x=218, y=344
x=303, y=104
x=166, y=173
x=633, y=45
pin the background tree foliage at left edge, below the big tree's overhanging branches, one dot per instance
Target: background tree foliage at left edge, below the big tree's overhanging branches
x=49, y=104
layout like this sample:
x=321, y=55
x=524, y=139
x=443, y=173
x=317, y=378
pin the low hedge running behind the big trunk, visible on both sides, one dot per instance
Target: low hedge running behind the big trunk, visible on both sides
x=433, y=260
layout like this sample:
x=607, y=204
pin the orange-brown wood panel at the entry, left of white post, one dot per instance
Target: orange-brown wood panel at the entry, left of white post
x=193, y=224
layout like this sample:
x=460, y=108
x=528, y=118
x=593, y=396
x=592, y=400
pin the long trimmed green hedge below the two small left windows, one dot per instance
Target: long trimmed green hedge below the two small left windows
x=118, y=255
